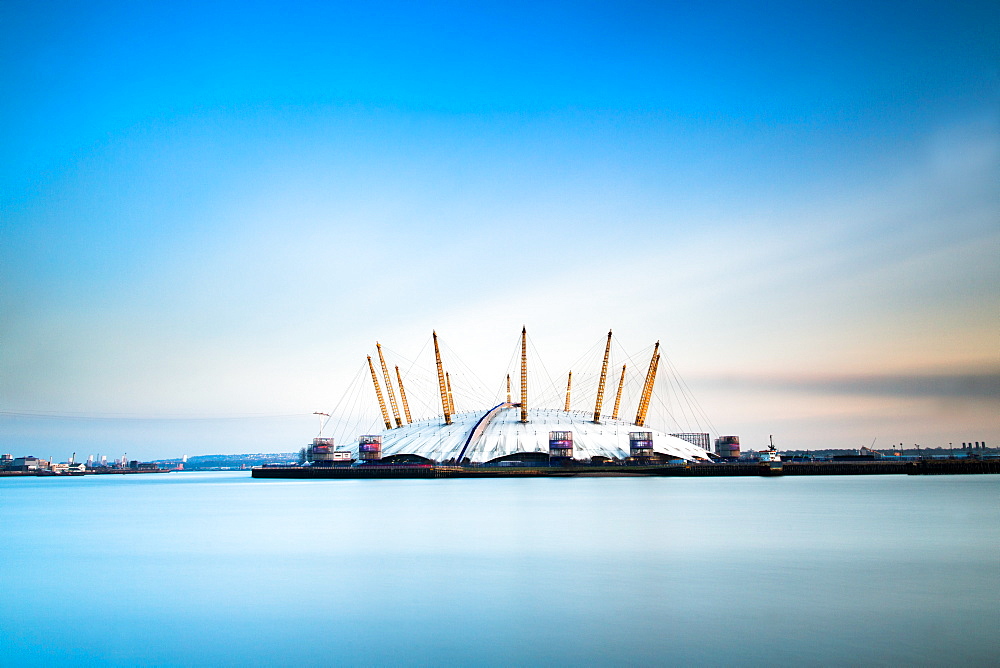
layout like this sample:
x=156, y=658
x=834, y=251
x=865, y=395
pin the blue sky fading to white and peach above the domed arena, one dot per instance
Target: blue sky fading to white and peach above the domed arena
x=215, y=209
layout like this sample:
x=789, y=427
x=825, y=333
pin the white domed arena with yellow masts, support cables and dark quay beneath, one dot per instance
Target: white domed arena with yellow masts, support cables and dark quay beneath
x=504, y=435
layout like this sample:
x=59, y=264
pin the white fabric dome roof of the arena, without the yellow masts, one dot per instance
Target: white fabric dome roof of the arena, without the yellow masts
x=486, y=435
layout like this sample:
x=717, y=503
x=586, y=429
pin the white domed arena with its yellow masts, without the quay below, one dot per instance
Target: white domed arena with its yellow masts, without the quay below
x=510, y=433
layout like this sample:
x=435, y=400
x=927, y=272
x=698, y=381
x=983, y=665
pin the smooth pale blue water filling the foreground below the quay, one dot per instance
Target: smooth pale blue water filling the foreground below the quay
x=220, y=569
